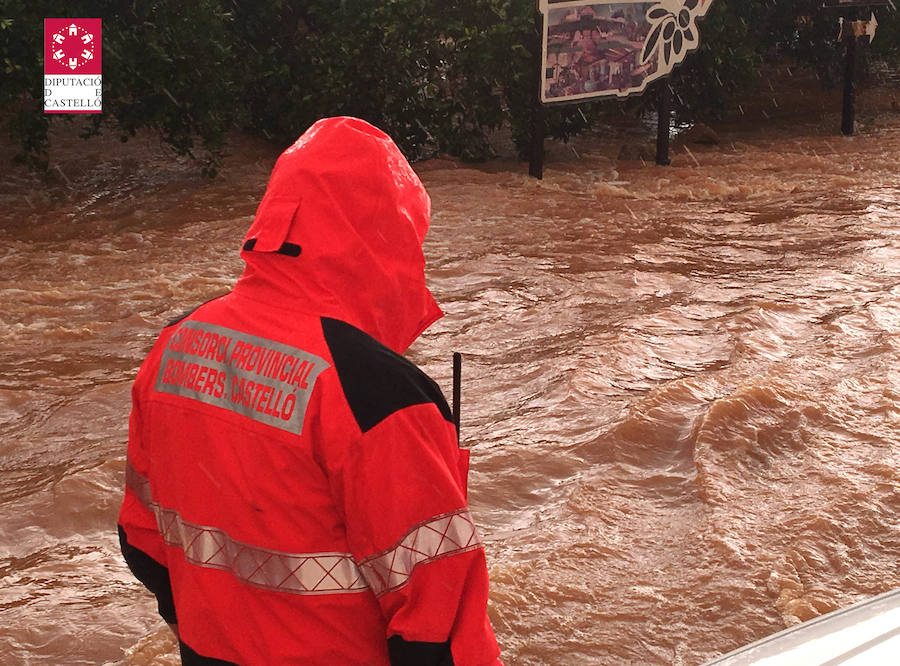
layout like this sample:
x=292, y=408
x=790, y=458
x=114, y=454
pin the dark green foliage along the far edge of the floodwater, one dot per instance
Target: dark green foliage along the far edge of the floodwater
x=437, y=76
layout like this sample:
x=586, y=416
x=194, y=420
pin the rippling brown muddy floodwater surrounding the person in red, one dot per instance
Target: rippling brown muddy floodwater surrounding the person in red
x=681, y=384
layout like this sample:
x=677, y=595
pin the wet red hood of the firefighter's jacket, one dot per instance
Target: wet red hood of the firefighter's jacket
x=339, y=233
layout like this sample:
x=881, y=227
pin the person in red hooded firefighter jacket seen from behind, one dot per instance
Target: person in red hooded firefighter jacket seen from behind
x=295, y=493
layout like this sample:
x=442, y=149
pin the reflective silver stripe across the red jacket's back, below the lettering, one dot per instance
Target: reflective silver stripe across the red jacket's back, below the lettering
x=204, y=546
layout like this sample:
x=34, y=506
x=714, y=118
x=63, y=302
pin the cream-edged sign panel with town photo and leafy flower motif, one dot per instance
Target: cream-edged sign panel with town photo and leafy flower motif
x=614, y=48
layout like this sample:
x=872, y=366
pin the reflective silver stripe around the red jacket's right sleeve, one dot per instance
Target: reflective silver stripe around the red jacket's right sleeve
x=441, y=536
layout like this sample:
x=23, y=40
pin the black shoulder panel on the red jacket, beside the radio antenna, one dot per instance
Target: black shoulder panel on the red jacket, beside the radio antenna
x=377, y=381
